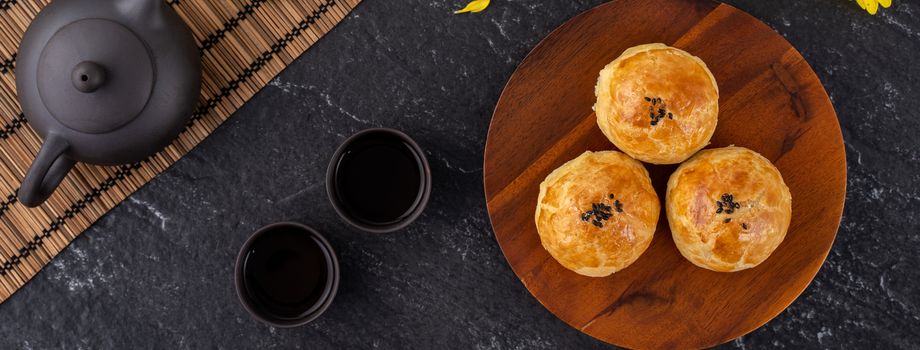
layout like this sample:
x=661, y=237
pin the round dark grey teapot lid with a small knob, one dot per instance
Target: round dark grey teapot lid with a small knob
x=94, y=75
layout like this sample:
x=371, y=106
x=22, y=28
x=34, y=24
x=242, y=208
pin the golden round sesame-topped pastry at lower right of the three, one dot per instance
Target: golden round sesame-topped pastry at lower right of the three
x=752, y=222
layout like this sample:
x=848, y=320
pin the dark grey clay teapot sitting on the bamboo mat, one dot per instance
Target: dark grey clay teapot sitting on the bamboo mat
x=105, y=82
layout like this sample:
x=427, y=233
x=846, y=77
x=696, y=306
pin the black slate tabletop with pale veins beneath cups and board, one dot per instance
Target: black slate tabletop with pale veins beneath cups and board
x=157, y=270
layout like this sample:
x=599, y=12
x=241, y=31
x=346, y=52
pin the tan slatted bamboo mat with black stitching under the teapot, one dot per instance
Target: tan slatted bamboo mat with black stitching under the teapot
x=243, y=45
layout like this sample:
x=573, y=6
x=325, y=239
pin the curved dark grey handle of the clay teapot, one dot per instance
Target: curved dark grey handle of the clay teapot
x=46, y=172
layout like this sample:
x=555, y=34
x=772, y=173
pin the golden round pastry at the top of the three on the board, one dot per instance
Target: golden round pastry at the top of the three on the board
x=686, y=88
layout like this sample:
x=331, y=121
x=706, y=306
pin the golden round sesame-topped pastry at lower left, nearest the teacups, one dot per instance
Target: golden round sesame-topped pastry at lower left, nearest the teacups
x=567, y=225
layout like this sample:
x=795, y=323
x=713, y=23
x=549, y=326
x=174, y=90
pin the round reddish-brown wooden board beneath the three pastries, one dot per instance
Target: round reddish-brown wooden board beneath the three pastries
x=771, y=102
